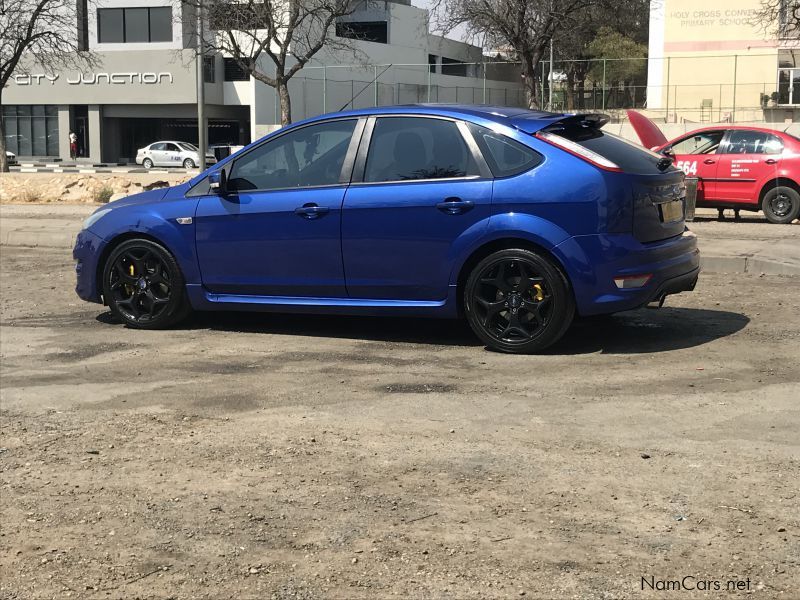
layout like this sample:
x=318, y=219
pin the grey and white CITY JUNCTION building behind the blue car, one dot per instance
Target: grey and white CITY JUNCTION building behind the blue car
x=143, y=85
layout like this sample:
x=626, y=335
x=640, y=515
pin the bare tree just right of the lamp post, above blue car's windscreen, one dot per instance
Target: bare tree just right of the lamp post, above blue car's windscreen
x=274, y=39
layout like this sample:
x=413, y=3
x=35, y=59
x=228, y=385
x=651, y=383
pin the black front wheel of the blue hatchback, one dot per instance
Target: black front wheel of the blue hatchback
x=143, y=285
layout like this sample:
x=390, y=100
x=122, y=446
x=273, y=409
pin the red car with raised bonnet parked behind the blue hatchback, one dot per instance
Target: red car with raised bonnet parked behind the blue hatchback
x=743, y=168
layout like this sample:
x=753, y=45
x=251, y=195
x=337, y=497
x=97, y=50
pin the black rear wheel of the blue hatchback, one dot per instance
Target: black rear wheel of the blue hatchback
x=518, y=301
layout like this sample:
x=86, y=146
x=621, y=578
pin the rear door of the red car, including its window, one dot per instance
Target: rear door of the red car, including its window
x=747, y=158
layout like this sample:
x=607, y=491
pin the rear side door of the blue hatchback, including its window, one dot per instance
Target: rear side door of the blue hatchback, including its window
x=420, y=188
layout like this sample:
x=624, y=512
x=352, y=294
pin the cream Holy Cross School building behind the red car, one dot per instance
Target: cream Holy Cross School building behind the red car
x=719, y=61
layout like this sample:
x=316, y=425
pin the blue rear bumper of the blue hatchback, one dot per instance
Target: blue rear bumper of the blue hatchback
x=596, y=260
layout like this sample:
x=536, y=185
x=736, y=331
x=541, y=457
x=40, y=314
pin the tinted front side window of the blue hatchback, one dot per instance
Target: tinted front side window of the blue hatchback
x=308, y=156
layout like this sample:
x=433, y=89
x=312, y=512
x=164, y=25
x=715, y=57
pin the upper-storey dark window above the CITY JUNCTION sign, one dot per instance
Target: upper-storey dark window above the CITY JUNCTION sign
x=134, y=25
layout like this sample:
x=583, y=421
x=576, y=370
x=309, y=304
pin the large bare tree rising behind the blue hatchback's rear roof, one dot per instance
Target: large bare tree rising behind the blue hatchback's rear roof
x=523, y=26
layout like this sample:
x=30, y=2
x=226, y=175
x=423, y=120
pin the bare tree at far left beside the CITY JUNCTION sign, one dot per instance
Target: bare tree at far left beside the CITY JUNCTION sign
x=36, y=32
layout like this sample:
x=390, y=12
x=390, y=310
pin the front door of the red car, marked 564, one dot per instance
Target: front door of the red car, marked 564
x=697, y=155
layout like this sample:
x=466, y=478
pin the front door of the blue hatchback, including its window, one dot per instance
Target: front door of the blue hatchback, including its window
x=277, y=232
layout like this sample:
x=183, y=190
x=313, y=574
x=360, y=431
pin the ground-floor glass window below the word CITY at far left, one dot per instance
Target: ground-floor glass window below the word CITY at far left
x=31, y=130
